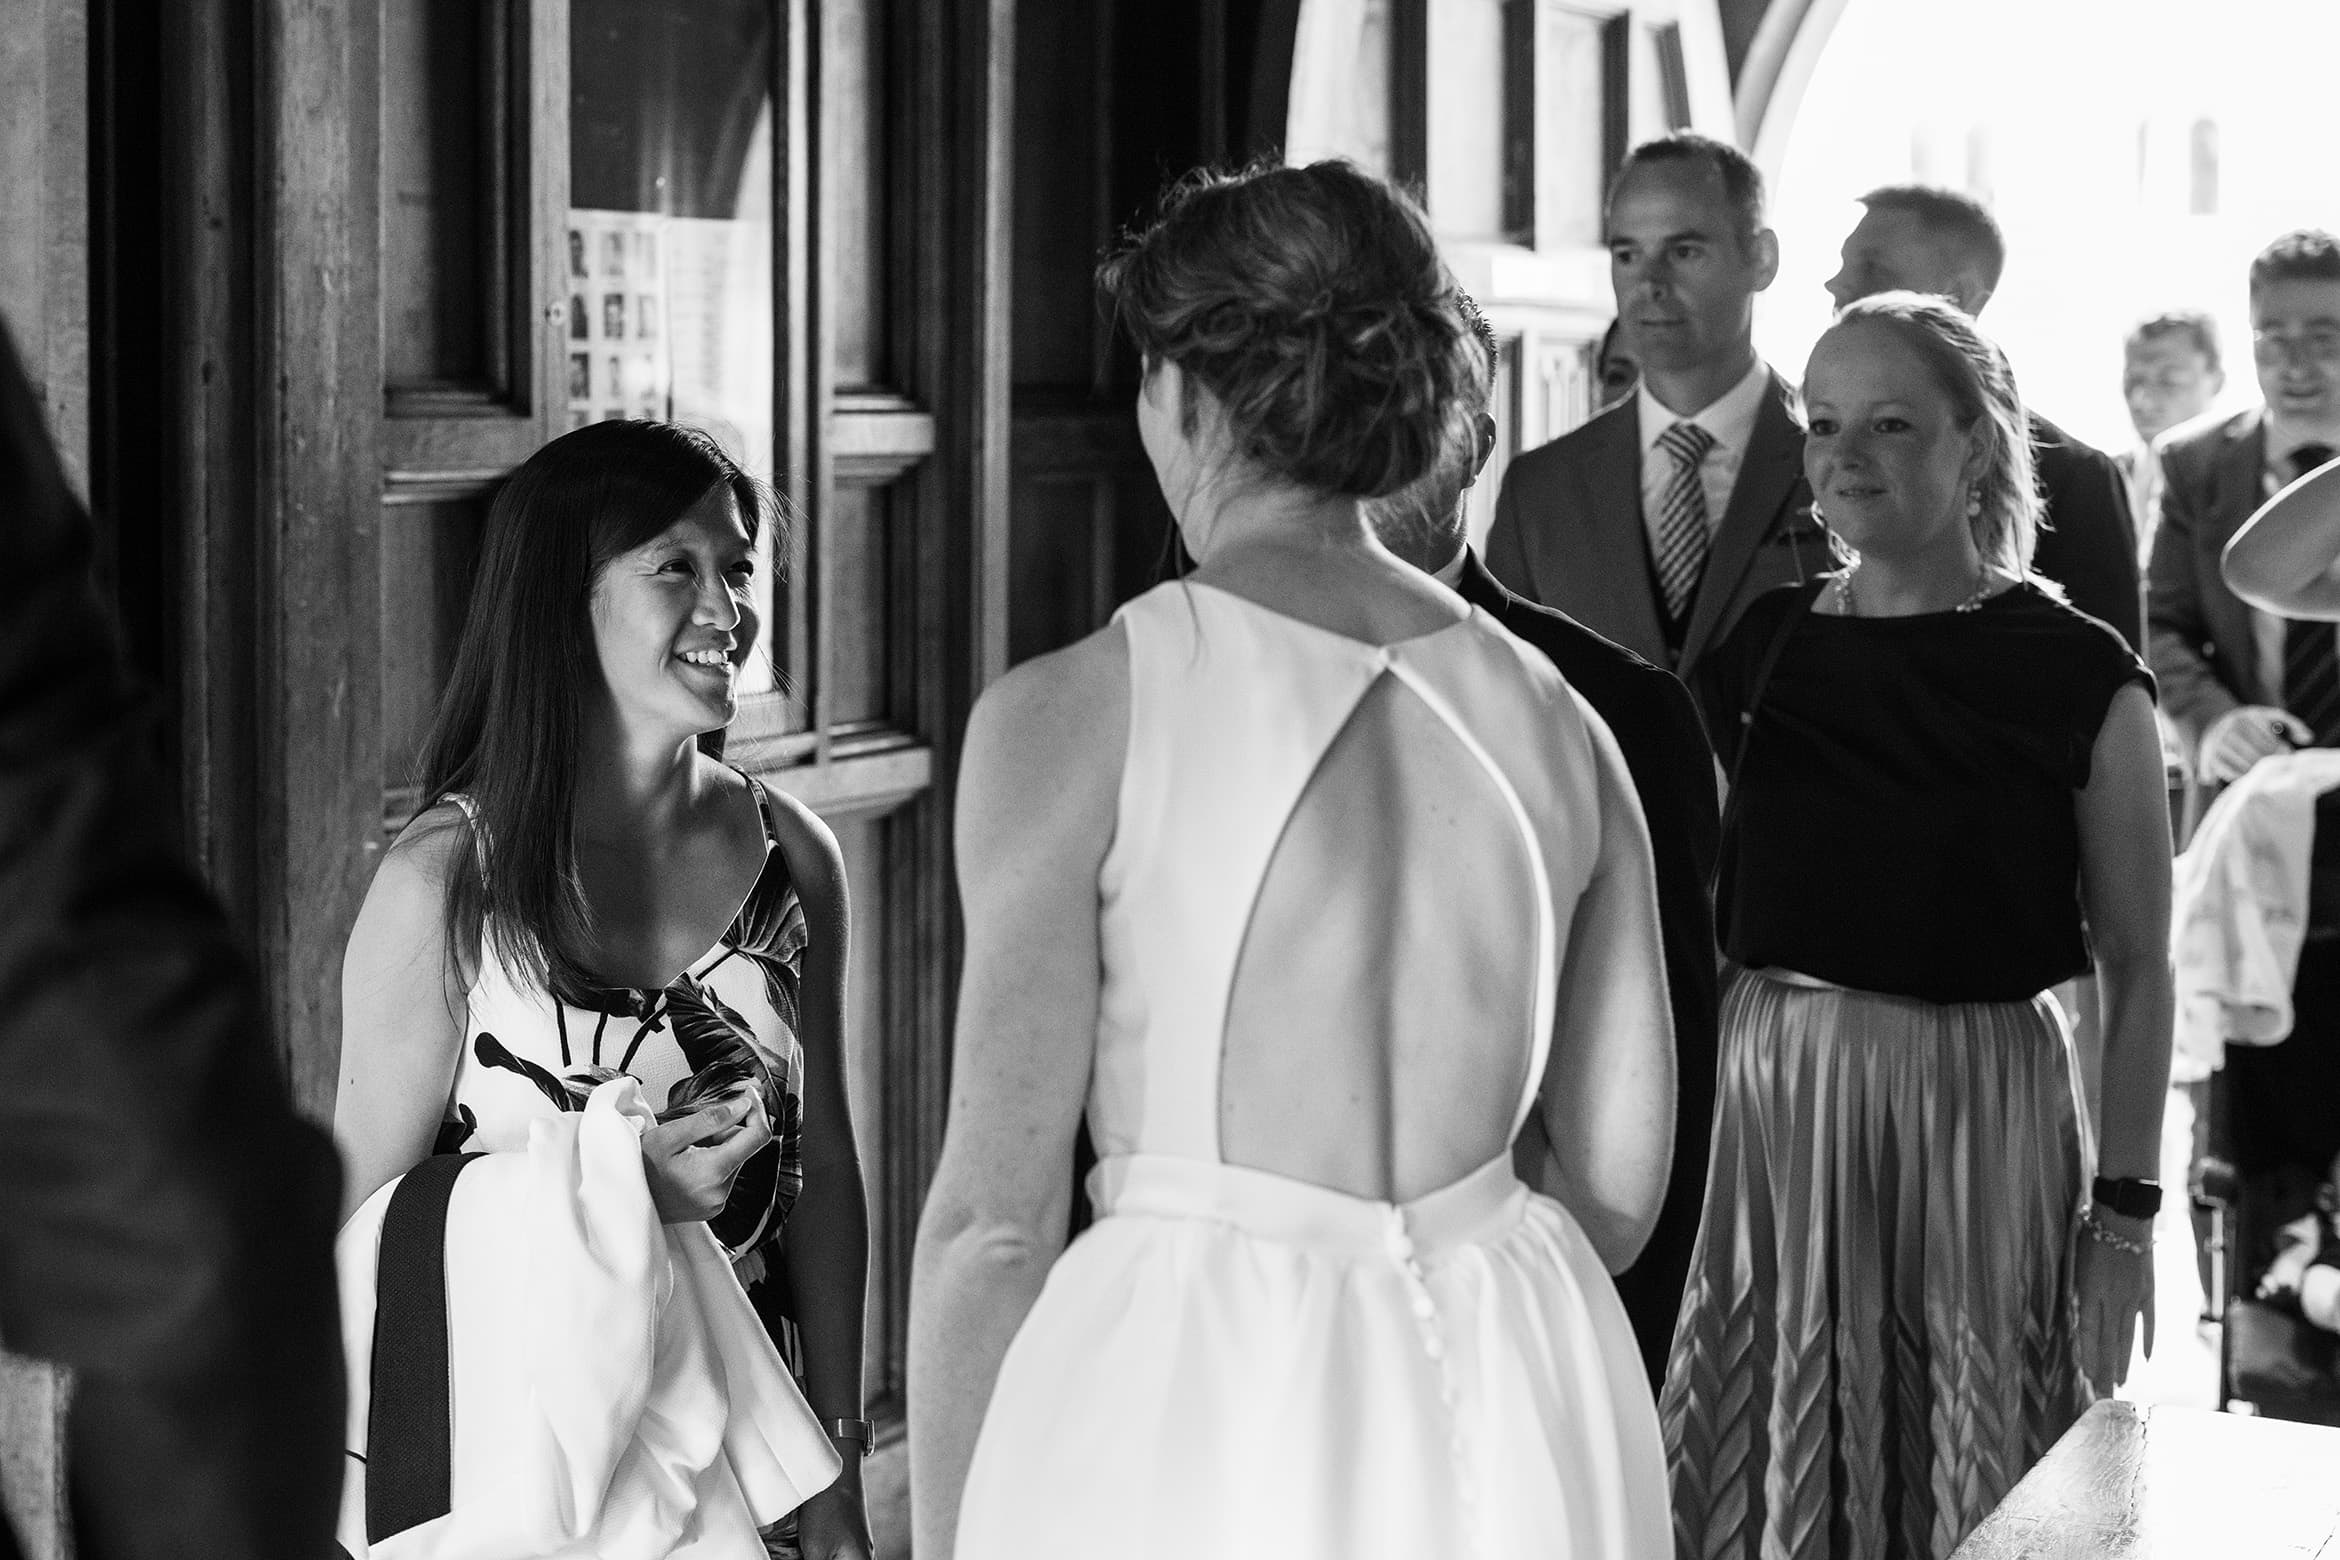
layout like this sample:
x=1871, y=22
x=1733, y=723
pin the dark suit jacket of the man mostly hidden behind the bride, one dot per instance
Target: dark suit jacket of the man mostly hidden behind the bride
x=1674, y=773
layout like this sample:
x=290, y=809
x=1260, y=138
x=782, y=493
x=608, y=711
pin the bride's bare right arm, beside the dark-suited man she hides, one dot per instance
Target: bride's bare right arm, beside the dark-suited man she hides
x=1609, y=1086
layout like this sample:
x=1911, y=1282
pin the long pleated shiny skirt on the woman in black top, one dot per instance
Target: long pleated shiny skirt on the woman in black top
x=1878, y=1337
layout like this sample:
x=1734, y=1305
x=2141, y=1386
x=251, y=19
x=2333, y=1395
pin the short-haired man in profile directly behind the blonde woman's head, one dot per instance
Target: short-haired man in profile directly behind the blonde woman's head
x=1925, y=240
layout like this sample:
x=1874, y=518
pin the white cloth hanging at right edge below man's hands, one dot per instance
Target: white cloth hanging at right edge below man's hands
x=2241, y=909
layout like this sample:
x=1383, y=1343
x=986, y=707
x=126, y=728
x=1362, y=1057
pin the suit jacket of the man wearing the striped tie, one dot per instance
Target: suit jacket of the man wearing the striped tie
x=1569, y=532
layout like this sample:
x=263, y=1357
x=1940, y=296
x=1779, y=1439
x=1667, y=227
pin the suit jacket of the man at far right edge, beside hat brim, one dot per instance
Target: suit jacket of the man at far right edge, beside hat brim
x=2201, y=642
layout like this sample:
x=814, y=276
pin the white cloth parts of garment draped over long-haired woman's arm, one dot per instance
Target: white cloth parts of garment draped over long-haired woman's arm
x=614, y=1393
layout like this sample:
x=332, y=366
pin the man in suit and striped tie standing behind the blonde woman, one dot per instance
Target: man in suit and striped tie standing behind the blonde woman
x=1663, y=518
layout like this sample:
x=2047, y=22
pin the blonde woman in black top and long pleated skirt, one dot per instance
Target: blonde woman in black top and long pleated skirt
x=1939, y=771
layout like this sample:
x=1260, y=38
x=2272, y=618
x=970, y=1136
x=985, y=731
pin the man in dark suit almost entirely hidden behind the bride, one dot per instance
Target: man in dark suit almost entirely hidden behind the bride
x=1665, y=750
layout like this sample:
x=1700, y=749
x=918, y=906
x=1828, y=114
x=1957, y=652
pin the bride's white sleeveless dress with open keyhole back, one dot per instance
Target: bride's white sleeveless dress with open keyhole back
x=1234, y=1362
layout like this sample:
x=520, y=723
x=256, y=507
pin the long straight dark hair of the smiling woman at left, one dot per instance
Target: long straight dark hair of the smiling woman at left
x=514, y=715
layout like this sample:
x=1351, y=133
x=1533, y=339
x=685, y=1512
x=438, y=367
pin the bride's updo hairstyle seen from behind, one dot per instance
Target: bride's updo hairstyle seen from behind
x=1314, y=305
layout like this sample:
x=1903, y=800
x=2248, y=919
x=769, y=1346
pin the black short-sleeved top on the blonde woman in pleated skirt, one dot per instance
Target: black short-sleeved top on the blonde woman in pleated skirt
x=1906, y=803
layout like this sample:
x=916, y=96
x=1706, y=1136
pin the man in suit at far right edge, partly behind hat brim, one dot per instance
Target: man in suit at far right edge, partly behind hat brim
x=2243, y=686
